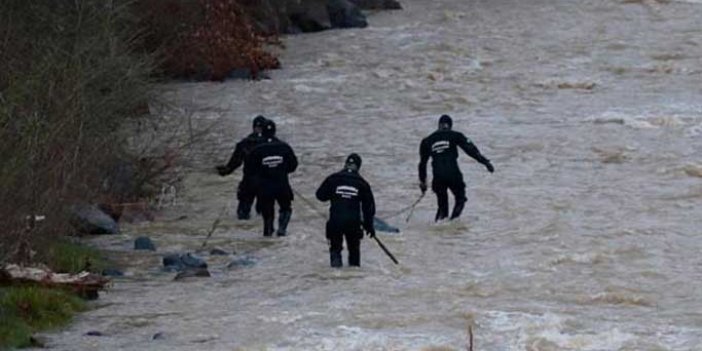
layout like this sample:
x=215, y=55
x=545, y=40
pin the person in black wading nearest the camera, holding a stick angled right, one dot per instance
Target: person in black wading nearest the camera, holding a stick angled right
x=350, y=196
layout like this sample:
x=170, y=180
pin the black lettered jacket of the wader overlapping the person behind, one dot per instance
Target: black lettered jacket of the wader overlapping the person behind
x=270, y=162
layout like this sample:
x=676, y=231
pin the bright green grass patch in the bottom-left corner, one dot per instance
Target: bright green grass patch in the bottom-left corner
x=24, y=310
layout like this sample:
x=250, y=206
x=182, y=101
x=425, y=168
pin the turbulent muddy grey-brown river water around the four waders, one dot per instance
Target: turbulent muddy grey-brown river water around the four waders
x=587, y=236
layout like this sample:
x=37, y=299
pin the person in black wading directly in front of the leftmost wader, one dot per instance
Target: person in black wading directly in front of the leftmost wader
x=269, y=164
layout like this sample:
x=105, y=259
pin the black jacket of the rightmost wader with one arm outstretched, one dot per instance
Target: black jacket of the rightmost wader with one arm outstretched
x=441, y=146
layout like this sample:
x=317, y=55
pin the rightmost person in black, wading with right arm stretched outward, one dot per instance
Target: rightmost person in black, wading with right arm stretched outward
x=441, y=147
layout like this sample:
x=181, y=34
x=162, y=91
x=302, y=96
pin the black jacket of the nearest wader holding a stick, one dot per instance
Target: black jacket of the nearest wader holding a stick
x=349, y=194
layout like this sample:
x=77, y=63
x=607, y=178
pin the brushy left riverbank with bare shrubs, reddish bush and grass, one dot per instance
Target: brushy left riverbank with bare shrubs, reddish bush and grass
x=73, y=76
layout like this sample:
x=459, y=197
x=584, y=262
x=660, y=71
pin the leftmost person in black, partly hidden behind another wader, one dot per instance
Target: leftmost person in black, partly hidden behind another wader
x=245, y=192
